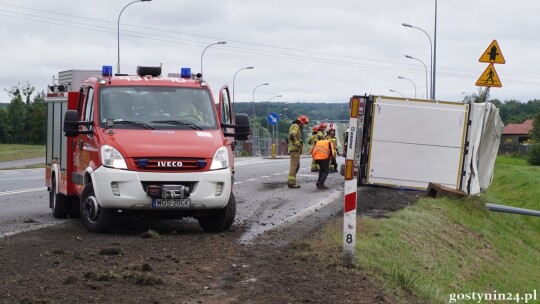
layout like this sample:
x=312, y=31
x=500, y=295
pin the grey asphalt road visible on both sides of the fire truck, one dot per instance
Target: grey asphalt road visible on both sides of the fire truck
x=264, y=202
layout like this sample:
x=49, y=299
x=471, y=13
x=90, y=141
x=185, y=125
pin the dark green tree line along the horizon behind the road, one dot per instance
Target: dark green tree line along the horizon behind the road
x=23, y=120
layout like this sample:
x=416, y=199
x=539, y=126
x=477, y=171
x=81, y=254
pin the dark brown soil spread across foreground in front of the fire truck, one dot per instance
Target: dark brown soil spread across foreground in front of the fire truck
x=179, y=263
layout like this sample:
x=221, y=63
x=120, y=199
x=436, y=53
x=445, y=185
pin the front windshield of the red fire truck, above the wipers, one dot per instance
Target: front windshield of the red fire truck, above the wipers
x=157, y=107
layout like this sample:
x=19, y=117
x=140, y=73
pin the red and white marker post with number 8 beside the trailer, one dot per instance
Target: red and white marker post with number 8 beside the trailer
x=349, y=209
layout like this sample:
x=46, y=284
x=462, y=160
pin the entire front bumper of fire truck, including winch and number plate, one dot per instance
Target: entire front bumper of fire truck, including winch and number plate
x=124, y=189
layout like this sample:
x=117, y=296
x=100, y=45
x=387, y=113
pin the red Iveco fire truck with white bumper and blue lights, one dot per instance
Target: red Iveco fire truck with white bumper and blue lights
x=142, y=145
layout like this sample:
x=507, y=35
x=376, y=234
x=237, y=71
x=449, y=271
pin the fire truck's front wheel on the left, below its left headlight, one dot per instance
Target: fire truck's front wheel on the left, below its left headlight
x=95, y=218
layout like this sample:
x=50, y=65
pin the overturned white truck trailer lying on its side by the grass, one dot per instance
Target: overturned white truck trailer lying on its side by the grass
x=408, y=143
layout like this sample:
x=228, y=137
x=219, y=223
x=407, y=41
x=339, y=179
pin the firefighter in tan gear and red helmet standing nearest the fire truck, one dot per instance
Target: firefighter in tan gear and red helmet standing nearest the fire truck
x=295, y=149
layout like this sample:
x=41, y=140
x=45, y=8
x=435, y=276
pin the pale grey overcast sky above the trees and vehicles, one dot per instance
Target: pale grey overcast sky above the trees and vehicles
x=308, y=50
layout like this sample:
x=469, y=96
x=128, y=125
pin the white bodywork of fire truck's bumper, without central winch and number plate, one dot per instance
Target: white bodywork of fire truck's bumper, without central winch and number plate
x=206, y=193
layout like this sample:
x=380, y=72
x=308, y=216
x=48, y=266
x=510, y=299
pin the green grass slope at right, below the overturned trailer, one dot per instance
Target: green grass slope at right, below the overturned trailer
x=442, y=246
